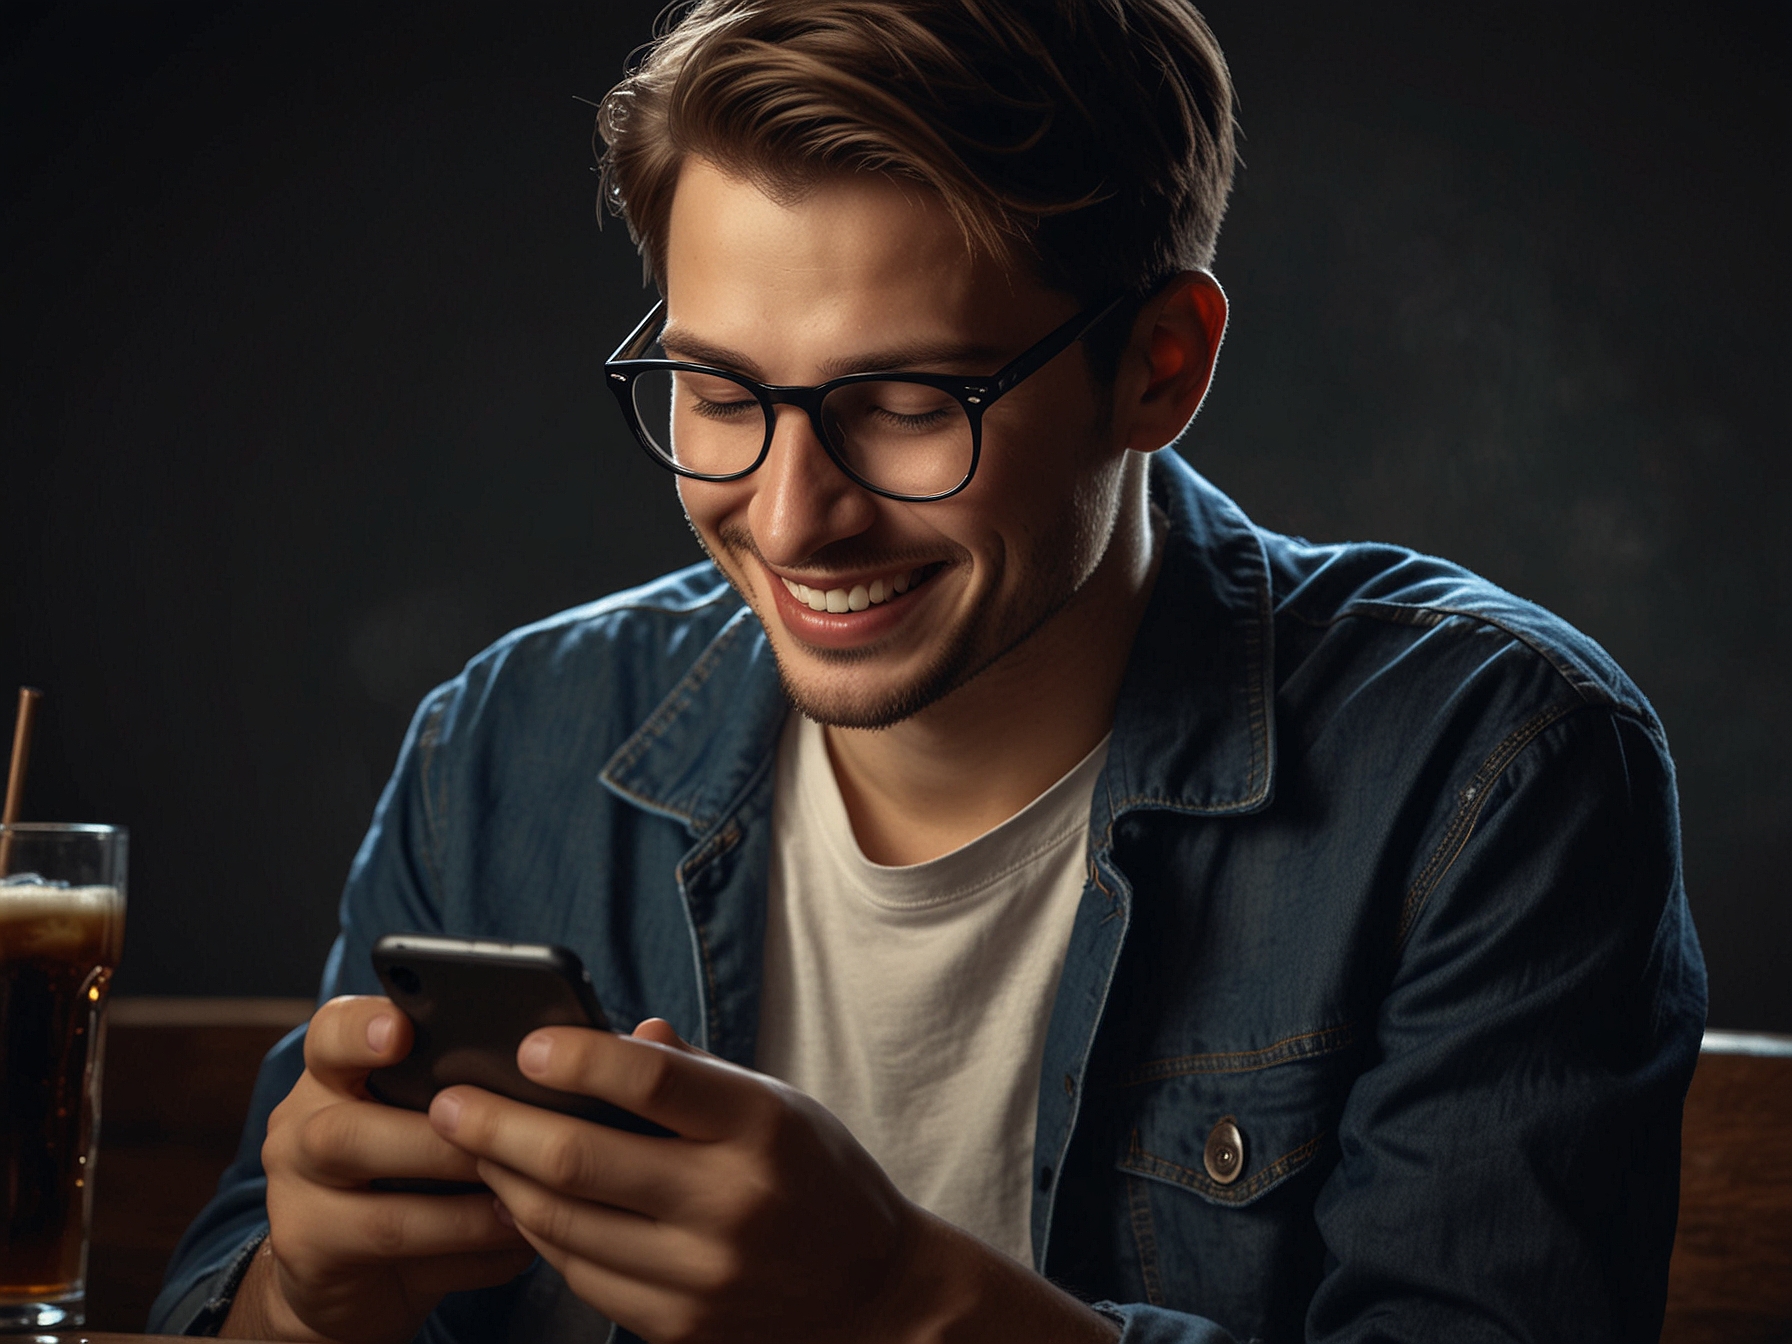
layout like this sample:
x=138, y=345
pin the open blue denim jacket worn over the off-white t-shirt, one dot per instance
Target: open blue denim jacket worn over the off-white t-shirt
x=1384, y=897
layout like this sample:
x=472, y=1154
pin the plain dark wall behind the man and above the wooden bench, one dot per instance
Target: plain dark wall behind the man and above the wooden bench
x=300, y=393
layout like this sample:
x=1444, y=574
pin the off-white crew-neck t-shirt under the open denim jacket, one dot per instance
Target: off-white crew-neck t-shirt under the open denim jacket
x=913, y=1001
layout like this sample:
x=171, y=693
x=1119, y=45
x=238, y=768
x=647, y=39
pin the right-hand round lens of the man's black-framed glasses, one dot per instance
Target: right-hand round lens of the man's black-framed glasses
x=899, y=436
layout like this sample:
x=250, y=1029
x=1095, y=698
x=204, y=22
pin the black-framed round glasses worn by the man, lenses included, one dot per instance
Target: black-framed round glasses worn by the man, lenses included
x=908, y=436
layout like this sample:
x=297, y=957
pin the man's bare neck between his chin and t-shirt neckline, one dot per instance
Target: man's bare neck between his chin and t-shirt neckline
x=990, y=748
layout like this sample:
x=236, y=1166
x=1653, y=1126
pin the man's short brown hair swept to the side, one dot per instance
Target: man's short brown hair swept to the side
x=1087, y=139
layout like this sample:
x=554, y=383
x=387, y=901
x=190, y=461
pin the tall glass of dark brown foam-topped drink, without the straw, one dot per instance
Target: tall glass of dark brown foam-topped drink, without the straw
x=62, y=924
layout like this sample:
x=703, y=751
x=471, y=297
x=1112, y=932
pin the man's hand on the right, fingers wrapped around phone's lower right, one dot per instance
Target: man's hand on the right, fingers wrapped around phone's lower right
x=761, y=1221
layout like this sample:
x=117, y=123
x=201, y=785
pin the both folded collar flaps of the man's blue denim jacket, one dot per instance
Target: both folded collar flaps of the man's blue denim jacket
x=1194, y=730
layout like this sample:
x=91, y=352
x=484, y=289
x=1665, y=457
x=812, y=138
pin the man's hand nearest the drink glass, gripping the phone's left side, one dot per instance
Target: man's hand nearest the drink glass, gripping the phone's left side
x=347, y=1262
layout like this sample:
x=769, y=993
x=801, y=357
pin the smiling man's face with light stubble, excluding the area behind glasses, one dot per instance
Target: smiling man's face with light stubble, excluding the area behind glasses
x=872, y=275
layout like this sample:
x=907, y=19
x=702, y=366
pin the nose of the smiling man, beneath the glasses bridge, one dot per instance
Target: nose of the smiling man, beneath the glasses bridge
x=802, y=501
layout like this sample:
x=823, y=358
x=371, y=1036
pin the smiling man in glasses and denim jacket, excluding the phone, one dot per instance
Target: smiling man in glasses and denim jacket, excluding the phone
x=1053, y=908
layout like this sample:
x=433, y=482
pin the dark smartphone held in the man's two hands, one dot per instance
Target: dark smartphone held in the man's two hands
x=470, y=1004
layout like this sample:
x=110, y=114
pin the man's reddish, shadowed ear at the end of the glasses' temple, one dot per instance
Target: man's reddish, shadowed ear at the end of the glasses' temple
x=1169, y=363
